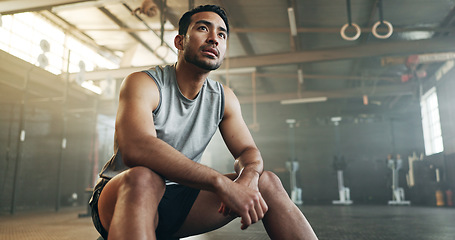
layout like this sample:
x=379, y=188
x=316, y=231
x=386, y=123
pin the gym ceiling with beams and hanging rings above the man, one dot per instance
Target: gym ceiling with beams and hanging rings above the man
x=362, y=55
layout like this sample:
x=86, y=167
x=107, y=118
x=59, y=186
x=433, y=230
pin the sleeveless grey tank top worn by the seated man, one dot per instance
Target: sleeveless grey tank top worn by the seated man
x=188, y=125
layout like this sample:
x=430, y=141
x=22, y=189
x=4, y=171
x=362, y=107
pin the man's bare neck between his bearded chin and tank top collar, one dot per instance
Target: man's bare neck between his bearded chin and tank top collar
x=190, y=79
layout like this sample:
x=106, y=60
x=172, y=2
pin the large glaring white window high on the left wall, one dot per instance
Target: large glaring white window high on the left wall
x=21, y=34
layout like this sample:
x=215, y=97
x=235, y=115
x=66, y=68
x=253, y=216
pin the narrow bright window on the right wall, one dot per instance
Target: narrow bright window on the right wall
x=431, y=123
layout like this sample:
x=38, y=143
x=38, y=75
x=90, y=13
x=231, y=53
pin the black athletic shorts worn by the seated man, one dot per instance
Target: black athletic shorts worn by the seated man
x=172, y=210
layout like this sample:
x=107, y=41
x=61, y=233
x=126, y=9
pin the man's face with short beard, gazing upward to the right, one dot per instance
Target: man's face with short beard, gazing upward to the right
x=205, y=41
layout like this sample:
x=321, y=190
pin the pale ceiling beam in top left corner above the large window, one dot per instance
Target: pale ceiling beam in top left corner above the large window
x=19, y=6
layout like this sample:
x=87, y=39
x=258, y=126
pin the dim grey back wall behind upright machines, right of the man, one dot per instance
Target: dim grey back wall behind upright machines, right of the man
x=366, y=140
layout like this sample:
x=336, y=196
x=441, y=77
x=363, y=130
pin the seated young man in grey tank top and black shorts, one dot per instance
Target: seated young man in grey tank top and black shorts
x=154, y=186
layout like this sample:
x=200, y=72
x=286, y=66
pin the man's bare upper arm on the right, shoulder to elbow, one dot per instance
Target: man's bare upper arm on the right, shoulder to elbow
x=235, y=132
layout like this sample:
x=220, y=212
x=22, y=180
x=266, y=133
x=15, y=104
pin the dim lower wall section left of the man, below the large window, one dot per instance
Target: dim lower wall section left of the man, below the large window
x=39, y=157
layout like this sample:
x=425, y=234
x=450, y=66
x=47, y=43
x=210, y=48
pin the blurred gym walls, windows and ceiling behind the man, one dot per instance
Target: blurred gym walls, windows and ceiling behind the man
x=326, y=85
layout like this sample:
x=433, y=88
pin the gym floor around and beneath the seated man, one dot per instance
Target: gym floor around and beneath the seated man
x=354, y=222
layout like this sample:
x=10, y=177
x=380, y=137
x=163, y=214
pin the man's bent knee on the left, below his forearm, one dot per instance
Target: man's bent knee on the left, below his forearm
x=140, y=178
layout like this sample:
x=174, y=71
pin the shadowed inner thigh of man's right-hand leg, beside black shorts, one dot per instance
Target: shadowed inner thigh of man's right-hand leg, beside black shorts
x=204, y=216
